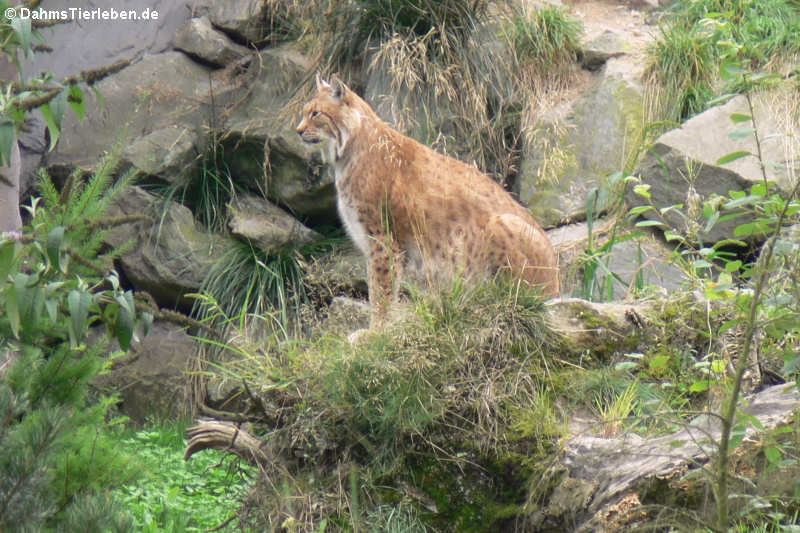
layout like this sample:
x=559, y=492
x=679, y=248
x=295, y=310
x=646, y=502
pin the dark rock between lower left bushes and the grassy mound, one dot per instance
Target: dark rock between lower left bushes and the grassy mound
x=151, y=378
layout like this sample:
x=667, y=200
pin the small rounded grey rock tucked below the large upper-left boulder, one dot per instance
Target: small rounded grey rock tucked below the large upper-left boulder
x=169, y=153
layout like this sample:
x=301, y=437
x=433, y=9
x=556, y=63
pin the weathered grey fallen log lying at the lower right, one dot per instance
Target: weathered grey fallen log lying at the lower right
x=601, y=477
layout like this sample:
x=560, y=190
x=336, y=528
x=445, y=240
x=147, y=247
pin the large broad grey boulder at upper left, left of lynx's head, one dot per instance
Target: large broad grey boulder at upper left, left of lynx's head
x=156, y=93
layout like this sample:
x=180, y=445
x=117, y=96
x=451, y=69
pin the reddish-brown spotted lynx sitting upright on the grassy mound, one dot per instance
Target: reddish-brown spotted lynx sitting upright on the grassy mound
x=408, y=207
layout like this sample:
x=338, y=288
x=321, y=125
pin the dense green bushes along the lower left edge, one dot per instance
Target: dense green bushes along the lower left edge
x=57, y=453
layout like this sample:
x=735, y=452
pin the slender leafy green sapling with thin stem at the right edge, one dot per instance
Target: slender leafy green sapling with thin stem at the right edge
x=767, y=308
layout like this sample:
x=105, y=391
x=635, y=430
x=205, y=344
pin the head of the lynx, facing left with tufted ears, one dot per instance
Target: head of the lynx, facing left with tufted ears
x=330, y=117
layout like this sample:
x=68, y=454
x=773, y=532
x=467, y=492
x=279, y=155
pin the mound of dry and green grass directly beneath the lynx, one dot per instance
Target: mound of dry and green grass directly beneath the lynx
x=417, y=405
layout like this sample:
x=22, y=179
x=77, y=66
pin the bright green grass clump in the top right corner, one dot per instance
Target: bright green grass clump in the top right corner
x=702, y=34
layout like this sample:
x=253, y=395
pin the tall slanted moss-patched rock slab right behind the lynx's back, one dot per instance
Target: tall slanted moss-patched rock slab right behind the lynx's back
x=577, y=145
